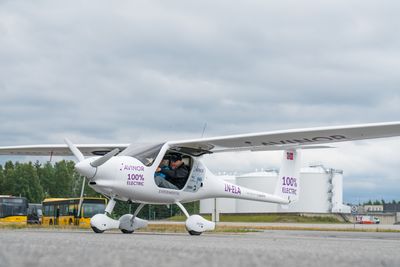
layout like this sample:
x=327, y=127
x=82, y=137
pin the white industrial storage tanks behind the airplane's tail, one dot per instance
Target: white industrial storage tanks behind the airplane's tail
x=321, y=192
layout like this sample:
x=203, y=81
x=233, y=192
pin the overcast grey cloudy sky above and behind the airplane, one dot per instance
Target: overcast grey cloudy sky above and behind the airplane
x=139, y=71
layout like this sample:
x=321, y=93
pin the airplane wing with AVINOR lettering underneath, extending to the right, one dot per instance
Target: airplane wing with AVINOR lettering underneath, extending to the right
x=281, y=140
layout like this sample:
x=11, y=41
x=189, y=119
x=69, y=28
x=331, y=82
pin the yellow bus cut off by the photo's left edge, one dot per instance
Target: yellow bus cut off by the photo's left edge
x=13, y=210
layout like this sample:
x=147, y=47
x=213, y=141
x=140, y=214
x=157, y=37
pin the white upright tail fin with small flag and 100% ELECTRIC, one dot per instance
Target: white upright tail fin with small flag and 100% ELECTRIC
x=288, y=185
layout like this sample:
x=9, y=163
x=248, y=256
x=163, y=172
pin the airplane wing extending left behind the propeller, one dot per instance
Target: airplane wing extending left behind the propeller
x=59, y=150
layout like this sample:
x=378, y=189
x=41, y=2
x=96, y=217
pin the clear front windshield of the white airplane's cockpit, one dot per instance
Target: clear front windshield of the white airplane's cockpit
x=144, y=153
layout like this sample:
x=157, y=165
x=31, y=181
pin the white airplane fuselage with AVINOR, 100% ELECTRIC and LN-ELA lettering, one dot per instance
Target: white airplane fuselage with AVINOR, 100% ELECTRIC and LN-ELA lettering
x=127, y=179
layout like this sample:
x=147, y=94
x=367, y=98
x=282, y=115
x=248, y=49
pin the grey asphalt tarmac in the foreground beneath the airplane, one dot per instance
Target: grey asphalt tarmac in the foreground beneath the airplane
x=37, y=247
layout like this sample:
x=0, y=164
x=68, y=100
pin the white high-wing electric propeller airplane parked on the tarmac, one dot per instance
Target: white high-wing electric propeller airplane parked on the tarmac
x=129, y=172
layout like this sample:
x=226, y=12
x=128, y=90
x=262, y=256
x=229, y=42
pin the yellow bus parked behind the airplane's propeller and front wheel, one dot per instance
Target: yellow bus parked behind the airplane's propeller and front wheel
x=64, y=211
